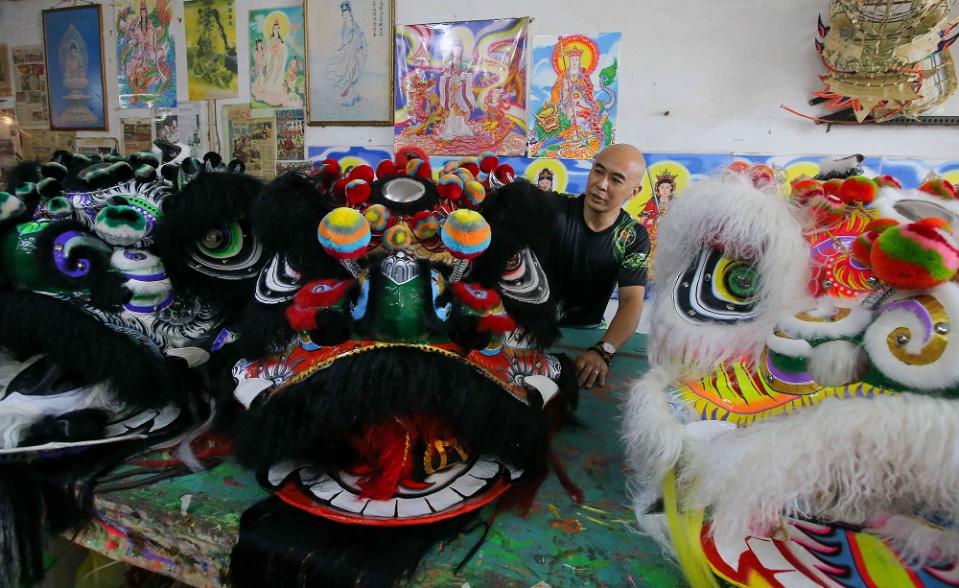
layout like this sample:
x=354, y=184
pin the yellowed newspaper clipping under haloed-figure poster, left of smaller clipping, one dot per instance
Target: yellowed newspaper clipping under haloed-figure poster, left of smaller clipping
x=251, y=139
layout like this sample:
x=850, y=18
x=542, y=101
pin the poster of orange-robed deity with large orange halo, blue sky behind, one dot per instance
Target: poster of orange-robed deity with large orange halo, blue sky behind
x=573, y=95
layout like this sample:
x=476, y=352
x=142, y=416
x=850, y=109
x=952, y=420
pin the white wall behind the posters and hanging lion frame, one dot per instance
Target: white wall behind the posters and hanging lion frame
x=720, y=68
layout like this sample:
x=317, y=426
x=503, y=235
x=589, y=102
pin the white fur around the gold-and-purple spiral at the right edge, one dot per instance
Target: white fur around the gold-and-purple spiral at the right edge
x=940, y=374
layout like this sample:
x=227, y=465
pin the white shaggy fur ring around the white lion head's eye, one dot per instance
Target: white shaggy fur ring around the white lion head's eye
x=749, y=224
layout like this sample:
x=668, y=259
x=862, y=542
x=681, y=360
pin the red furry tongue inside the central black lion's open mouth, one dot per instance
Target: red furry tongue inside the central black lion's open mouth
x=387, y=456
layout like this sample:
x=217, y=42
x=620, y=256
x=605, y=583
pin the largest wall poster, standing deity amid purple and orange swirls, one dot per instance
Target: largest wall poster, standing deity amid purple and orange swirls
x=461, y=87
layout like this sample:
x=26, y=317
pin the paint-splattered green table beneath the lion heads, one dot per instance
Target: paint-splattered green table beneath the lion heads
x=185, y=527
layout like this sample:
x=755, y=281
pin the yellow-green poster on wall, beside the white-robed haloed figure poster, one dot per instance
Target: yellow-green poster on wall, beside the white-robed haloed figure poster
x=210, y=27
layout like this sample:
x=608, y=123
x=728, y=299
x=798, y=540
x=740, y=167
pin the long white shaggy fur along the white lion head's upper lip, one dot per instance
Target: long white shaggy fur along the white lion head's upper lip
x=844, y=460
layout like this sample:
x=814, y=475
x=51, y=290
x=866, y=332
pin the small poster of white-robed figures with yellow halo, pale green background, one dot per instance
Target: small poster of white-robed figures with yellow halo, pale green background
x=277, y=69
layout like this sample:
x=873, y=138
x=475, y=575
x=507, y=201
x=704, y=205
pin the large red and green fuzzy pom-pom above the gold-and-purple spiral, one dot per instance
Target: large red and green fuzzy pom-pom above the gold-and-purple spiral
x=914, y=256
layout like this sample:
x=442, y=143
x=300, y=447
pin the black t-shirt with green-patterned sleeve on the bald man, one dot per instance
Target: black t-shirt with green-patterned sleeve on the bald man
x=586, y=265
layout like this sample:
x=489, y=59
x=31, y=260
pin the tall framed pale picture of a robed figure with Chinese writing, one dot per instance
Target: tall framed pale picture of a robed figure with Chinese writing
x=349, y=48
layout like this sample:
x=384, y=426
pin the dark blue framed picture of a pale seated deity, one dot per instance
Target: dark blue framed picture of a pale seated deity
x=73, y=42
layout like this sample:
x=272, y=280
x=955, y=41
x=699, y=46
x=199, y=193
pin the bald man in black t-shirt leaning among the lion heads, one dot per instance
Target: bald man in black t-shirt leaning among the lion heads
x=596, y=247
